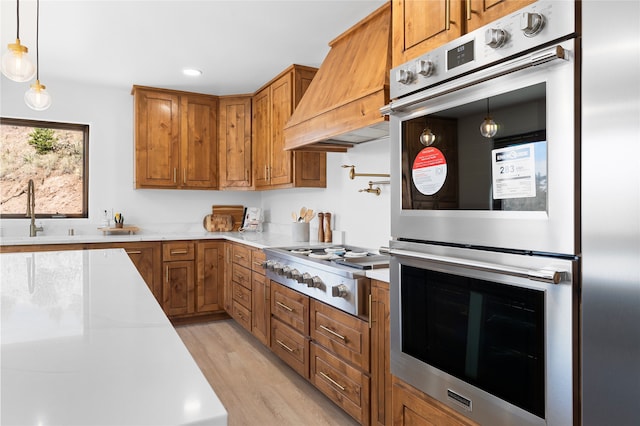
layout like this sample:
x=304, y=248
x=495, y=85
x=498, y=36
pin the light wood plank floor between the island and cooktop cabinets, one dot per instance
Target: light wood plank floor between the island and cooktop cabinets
x=254, y=385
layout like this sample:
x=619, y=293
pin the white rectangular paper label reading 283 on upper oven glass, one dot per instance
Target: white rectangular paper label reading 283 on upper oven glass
x=514, y=172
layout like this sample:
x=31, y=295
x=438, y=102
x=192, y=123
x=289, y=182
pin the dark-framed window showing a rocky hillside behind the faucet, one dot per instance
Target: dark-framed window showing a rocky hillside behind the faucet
x=55, y=156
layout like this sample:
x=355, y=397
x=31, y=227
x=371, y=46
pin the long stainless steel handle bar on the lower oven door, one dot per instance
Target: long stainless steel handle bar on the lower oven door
x=546, y=275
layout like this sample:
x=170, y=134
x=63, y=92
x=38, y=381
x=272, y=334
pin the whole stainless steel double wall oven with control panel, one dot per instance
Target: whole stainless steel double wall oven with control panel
x=485, y=220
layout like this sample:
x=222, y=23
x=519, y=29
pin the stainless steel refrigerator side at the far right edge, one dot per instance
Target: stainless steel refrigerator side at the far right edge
x=610, y=212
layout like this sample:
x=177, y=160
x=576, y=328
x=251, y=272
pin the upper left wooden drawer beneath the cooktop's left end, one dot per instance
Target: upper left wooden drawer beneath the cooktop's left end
x=290, y=307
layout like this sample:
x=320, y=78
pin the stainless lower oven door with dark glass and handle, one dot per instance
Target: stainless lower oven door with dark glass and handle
x=488, y=334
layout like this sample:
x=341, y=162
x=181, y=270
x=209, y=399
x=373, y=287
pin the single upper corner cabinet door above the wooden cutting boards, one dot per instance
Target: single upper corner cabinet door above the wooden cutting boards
x=234, y=140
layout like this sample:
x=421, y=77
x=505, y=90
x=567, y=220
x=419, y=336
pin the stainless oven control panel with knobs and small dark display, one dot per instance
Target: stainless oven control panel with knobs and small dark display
x=534, y=26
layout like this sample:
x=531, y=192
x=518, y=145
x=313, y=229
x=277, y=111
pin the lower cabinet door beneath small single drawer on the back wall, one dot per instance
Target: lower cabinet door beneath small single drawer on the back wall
x=178, y=288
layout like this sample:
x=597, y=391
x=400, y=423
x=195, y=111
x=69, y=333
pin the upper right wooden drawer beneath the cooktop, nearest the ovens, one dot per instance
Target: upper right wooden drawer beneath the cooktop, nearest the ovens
x=341, y=333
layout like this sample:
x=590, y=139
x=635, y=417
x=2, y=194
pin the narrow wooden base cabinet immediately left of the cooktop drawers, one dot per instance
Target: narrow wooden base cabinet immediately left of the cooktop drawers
x=260, y=299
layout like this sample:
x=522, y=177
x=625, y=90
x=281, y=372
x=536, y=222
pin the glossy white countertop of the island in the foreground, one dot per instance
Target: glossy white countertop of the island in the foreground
x=84, y=342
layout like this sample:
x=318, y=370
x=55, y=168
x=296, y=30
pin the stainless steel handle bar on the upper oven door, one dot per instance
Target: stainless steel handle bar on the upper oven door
x=533, y=59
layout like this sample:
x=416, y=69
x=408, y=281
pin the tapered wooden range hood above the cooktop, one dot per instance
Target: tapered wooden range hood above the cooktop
x=342, y=105
